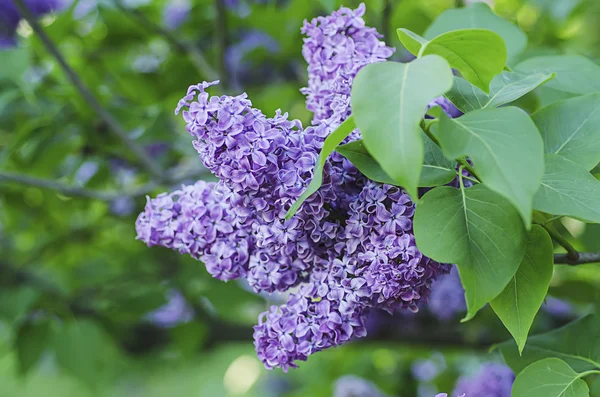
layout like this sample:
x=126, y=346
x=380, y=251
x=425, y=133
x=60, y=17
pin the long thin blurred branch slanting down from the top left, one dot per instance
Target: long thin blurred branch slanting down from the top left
x=114, y=125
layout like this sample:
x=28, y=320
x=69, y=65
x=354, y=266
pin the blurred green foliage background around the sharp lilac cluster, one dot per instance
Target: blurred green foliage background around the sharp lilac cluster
x=85, y=309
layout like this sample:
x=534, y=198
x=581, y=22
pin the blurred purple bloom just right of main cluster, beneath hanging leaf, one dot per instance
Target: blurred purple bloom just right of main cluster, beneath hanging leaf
x=447, y=297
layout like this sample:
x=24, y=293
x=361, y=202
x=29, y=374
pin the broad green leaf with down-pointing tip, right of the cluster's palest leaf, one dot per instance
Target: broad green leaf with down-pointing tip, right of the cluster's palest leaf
x=505, y=147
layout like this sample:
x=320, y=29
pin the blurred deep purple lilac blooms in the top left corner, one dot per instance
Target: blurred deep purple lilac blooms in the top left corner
x=10, y=17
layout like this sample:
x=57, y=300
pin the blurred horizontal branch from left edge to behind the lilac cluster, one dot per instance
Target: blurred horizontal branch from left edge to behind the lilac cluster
x=74, y=191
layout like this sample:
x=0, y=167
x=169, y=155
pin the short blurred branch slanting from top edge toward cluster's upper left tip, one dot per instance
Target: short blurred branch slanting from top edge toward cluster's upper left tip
x=197, y=57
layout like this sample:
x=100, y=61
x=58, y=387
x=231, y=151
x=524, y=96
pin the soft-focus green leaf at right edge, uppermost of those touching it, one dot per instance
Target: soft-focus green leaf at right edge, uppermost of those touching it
x=574, y=73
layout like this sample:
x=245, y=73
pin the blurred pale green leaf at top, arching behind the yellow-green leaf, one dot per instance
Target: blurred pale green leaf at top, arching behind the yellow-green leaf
x=479, y=15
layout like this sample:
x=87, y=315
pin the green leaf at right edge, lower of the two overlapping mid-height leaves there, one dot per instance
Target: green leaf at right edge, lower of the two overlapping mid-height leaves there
x=568, y=189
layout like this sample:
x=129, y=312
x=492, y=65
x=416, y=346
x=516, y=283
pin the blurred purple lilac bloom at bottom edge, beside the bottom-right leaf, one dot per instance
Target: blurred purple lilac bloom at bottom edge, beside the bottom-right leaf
x=492, y=380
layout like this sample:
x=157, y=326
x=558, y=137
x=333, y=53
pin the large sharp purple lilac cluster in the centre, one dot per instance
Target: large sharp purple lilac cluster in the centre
x=349, y=248
